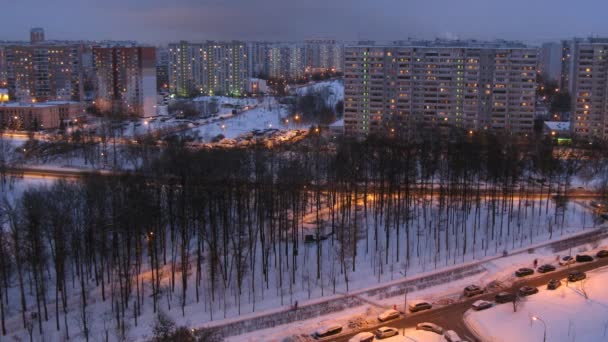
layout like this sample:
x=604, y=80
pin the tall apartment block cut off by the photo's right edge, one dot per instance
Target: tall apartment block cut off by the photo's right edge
x=588, y=88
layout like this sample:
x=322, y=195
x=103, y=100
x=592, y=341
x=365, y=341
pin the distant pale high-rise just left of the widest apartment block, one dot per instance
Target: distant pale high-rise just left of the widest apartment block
x=324, y=55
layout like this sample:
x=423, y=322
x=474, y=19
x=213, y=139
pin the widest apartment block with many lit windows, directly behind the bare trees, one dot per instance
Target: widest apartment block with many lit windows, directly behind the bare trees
x=469, y=85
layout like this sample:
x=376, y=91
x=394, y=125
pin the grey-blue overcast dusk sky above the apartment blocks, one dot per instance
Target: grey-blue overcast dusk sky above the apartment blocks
x=161, y=21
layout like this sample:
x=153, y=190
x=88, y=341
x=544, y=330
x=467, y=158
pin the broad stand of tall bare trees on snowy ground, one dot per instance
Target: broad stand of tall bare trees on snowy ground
x=219, y=229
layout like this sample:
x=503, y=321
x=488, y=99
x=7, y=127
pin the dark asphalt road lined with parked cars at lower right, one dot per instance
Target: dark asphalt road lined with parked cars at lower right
x=450, y=317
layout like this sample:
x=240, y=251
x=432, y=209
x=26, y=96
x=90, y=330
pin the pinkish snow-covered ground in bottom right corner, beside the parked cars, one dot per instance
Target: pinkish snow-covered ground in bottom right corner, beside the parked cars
x=568, y=315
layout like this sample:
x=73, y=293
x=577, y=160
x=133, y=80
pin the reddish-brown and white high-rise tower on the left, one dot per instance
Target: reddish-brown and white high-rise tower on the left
x=125, y=79
